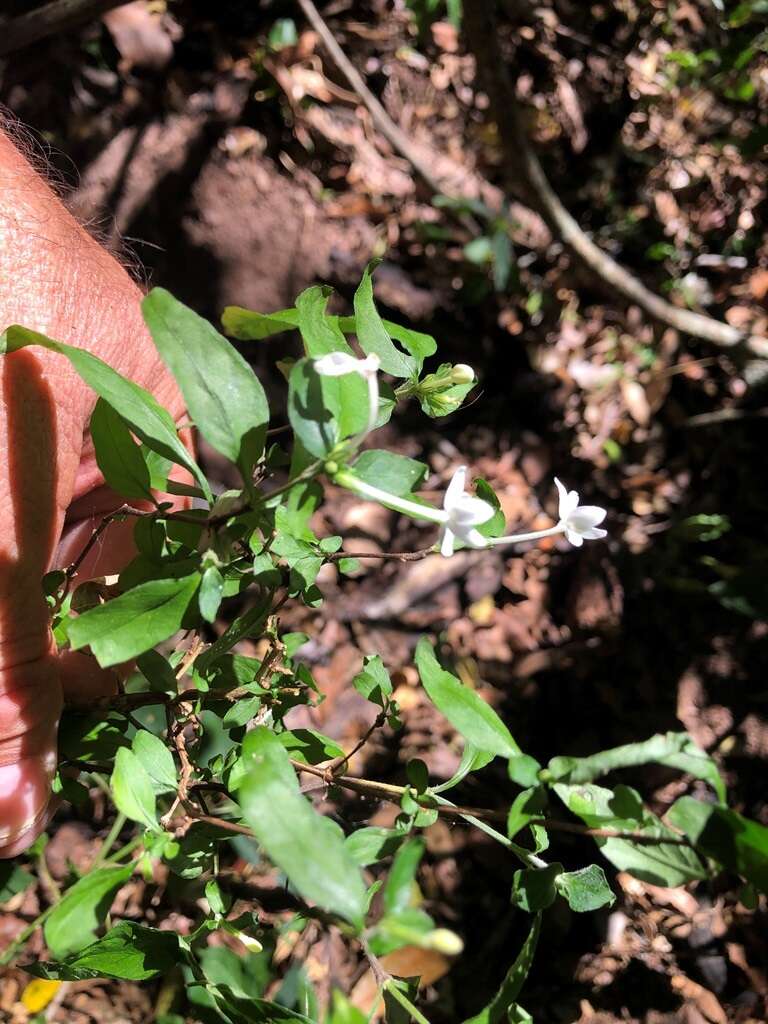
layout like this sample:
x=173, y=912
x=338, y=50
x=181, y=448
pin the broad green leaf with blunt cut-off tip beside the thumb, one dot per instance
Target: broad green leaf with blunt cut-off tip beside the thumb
x=135, y=622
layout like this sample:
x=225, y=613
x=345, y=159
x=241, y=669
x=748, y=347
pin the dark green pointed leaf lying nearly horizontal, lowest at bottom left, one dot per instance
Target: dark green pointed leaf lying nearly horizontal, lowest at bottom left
x=130, y=952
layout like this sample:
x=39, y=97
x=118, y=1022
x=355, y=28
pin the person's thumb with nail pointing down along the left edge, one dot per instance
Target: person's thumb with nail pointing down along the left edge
x=41, y=446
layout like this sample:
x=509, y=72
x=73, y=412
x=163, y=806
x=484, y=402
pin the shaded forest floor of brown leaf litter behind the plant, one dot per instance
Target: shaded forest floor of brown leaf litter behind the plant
x=238, y=170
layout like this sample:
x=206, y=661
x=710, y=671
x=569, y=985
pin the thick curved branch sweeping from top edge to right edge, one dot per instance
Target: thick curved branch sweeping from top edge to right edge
x=483, y=39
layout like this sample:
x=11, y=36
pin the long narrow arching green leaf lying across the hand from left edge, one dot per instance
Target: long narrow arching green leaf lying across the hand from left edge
x=153, y=424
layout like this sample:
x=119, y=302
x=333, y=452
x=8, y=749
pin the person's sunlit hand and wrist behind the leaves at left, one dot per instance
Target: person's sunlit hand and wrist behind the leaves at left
x=57, y=280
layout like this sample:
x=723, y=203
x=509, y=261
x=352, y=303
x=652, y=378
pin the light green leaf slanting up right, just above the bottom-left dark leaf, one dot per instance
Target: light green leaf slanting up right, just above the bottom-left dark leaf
x=83, y=910
